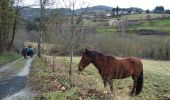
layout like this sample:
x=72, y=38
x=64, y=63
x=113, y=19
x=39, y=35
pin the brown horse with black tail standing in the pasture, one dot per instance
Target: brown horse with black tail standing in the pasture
x=111, y=68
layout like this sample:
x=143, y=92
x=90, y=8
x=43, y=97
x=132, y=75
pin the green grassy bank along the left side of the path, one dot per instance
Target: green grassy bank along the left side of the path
x=8, y=57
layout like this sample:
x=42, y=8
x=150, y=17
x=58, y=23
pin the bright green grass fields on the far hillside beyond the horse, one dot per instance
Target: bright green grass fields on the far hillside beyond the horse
x=161, y=25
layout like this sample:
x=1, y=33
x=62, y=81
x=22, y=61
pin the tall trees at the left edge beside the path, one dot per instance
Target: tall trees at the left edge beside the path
x=9, y=16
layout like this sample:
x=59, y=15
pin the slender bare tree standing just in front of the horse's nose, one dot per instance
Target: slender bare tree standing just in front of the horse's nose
x=72, y=28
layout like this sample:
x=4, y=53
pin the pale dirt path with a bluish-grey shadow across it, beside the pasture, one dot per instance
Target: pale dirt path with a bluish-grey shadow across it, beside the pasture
x=13, y=79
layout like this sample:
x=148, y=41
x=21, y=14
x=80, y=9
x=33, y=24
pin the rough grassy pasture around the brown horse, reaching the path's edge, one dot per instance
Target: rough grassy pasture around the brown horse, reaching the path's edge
x=89, y=85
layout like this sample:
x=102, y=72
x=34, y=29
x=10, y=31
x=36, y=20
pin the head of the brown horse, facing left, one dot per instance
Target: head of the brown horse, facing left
x=87, y=58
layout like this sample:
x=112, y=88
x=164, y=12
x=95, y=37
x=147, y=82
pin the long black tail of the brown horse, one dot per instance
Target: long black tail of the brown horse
x=139, y=84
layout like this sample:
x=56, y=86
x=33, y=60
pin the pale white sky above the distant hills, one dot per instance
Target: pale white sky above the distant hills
x=144, y=4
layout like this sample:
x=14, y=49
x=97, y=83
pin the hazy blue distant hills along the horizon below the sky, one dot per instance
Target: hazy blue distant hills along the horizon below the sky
x=32, y=13
